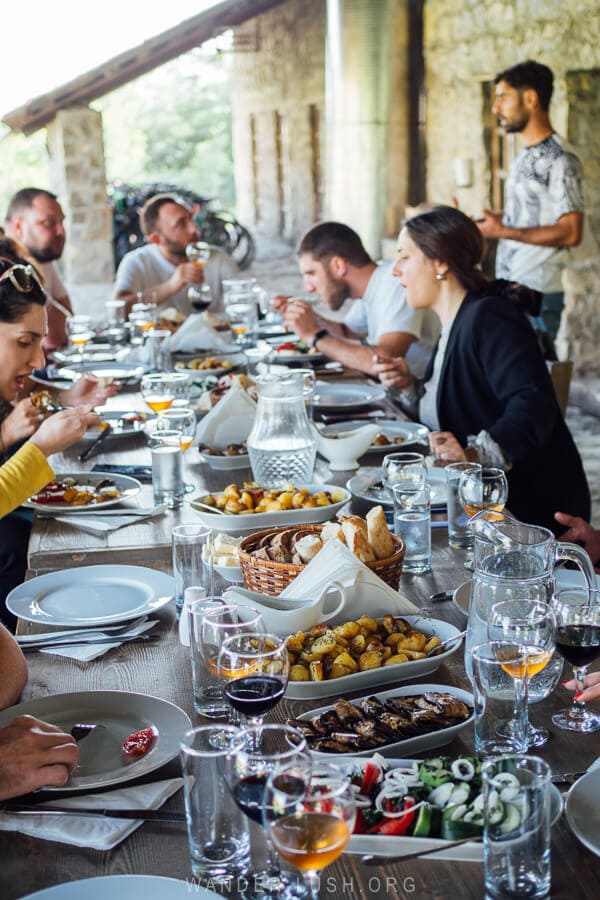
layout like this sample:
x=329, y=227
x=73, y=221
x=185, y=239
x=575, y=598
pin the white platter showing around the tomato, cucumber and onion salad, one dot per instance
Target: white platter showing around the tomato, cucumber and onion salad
x=395, y=845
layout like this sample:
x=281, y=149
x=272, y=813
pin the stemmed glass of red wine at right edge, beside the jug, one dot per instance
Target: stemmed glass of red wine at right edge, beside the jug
x=577, y=614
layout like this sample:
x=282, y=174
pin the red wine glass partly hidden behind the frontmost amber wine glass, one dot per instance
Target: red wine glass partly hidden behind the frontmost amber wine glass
x=247, y=771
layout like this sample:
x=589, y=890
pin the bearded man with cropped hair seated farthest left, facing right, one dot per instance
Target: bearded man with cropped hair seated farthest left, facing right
x=35, y=218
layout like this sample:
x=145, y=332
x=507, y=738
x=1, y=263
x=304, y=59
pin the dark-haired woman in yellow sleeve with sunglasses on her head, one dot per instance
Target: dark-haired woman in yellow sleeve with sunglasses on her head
x=22, y=327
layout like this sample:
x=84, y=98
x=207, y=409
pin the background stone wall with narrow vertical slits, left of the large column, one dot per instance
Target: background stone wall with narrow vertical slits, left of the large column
x=278, y=117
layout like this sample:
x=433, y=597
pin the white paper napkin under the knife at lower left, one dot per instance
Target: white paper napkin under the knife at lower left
x=98, y=833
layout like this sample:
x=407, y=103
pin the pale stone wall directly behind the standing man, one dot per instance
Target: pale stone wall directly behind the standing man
x=466, y=43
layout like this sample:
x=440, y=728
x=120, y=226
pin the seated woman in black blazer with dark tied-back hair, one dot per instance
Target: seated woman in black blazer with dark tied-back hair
x=487, y=394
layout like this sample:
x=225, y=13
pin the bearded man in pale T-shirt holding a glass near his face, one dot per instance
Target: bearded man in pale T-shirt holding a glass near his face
x=160, y=271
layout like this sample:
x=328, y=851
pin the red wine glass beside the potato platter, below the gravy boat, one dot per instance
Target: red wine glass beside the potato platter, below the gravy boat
x=254, y=670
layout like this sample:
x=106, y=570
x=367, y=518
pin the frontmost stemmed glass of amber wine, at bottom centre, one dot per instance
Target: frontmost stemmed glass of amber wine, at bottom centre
x=310, y=812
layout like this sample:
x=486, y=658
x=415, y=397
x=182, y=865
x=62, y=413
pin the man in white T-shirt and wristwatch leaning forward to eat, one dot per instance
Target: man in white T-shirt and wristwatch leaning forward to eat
x=336, y=267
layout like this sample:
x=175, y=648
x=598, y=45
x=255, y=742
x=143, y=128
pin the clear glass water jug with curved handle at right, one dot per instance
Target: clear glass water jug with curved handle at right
x=514, y=561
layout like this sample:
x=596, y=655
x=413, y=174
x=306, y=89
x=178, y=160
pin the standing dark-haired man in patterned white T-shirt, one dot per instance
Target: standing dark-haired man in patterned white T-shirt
x=544, y=203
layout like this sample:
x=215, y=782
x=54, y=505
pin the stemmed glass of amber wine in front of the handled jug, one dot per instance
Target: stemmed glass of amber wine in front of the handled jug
x=529, y=624
